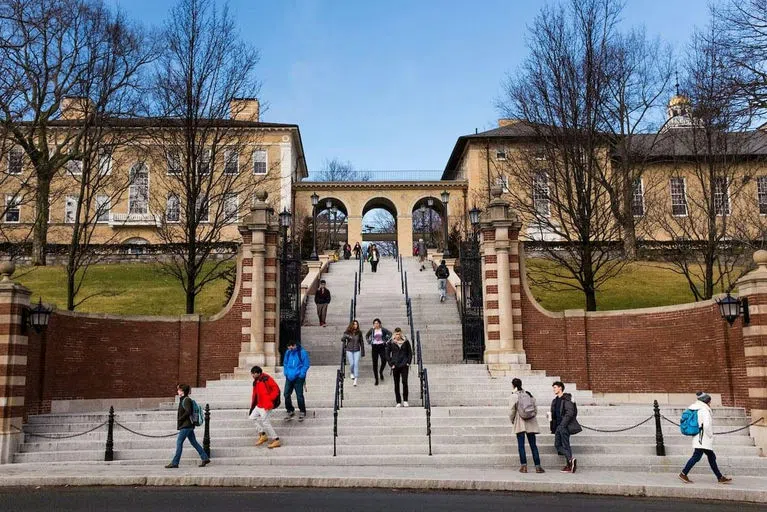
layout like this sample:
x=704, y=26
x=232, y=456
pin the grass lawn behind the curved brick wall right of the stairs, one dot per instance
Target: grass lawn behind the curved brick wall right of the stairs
x=640, y=285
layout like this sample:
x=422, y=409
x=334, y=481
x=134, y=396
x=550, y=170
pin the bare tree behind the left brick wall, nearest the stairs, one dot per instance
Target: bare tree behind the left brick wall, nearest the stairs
x=212, y=161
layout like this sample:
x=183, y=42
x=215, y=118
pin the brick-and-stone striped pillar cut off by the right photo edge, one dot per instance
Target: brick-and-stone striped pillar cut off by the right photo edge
x=754, y=287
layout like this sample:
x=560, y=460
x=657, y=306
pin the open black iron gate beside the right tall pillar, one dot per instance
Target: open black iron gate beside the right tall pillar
x=472, y=312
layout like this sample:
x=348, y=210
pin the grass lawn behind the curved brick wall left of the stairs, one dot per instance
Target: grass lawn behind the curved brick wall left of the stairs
x=128, y=289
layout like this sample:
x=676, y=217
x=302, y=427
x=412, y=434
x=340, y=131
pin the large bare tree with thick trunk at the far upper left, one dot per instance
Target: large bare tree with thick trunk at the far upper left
x=51, y=53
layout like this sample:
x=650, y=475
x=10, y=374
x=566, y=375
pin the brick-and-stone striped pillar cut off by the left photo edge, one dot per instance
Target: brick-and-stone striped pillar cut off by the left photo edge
x=14, y=299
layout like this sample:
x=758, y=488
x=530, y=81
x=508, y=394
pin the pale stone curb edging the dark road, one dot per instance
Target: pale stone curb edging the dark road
x=634, y=490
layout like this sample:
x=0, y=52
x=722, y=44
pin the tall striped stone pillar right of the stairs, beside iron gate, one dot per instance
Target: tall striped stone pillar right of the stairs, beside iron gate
x=500, y=272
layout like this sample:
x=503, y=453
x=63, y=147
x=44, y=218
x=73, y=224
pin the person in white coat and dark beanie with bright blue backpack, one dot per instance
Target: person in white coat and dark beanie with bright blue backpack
x=697, y=421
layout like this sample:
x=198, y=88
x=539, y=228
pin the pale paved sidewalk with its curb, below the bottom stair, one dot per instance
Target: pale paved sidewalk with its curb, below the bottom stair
x=751, y=489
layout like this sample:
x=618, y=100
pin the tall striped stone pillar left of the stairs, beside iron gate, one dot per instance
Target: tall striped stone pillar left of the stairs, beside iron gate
x=258, y=277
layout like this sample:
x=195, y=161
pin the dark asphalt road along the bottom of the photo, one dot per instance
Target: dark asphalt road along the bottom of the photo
x=195, y=499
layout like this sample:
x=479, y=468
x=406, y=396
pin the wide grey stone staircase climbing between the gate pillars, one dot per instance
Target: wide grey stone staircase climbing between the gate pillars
x=470, y=425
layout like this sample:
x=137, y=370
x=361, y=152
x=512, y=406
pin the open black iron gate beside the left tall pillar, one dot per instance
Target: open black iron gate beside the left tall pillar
x=290, y=296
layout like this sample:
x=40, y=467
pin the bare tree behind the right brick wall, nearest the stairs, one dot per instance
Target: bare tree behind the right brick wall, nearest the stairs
x=561, y=93
